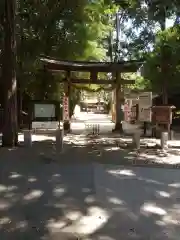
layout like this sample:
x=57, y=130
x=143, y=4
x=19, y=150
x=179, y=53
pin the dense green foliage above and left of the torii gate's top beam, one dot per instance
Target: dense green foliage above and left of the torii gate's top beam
x=68, y=30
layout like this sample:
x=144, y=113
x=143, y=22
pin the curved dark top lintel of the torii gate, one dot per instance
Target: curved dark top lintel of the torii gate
x=122, y=66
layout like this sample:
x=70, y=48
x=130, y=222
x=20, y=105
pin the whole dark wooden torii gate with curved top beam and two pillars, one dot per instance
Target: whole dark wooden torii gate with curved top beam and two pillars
x=94, y=68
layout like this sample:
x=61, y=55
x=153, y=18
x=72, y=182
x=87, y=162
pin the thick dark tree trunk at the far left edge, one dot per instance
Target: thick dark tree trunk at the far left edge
x=10, y=128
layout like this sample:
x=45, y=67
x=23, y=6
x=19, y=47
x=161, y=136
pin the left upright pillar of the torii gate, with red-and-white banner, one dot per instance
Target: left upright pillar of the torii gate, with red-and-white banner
x=66, y=114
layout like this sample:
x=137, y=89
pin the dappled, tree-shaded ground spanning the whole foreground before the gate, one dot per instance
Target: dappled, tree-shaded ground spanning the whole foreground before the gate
x=72, y=195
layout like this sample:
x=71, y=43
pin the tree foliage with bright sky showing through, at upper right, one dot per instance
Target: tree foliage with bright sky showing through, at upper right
x=146, y=18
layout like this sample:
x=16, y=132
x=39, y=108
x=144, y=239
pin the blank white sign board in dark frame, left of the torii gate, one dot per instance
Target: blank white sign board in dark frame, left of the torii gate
x=44, y=110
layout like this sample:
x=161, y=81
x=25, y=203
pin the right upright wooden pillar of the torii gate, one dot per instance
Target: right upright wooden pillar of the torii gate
x=118, y=104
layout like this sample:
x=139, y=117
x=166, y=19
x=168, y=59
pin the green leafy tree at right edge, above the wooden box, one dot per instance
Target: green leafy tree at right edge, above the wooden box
x=168, y=40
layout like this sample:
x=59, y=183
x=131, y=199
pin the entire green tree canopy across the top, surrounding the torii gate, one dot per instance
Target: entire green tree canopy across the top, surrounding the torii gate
x=79, y=29
